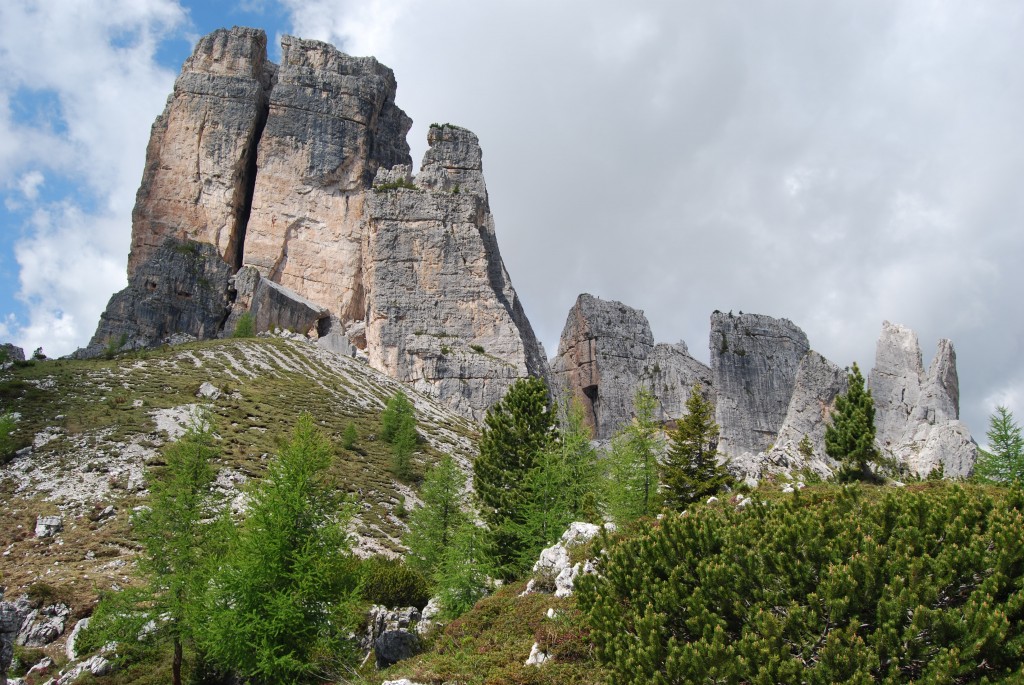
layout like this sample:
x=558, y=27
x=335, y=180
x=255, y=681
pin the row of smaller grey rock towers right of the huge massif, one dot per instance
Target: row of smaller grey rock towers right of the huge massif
x=774, y=395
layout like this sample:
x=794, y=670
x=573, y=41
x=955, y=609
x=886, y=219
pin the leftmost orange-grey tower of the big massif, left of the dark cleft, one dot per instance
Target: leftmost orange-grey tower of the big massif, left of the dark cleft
x=202, y=153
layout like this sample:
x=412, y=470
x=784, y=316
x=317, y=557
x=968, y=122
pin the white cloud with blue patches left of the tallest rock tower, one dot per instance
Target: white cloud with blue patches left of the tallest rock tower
x=92, y=65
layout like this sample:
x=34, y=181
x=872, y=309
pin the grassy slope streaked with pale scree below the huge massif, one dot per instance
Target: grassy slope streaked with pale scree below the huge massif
x=94, y=424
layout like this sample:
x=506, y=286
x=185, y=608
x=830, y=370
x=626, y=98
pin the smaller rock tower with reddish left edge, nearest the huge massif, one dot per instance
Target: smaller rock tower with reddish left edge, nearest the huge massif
x=608, y=353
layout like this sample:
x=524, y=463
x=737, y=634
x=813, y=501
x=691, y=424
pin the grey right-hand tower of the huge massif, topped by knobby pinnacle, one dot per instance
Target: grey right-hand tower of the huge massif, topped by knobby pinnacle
x=442, y=314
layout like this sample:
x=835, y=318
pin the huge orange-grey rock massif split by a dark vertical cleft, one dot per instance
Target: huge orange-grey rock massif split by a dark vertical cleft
x=294, y=183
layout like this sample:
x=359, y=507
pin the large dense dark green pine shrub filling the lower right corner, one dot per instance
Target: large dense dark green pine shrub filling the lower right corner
x=916, y=586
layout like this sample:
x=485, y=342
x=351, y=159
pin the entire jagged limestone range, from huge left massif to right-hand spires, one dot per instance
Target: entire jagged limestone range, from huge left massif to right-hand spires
x=286, y=194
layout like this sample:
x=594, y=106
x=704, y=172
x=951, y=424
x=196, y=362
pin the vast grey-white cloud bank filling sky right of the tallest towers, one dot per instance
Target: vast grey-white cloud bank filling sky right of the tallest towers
x=836, y=164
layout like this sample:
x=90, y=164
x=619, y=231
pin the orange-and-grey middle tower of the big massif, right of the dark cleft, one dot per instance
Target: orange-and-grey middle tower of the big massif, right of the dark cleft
x=332, y=124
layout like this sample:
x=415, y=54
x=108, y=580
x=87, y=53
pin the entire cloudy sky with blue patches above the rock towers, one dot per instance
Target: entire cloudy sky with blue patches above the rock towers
x=832, y=163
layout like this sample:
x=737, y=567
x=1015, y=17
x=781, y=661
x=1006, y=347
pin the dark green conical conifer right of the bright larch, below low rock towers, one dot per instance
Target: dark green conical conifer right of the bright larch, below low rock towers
x=692, y=472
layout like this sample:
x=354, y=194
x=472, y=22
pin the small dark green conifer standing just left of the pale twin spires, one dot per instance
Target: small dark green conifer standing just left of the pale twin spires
x=850, y=437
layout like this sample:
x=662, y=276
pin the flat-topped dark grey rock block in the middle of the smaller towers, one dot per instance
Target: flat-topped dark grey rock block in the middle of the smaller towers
x=754, y=364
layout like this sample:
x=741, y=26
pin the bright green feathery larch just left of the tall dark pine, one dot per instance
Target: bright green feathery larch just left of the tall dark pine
x=433, y=527
